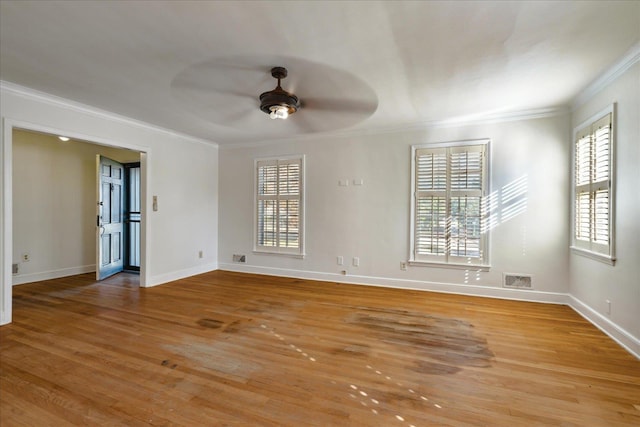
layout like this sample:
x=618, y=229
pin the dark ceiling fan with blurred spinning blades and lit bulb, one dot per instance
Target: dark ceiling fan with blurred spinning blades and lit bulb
x=223, y=90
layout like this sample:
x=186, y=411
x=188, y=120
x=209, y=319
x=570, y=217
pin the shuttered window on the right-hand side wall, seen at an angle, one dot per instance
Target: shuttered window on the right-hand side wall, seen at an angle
x=592, y=187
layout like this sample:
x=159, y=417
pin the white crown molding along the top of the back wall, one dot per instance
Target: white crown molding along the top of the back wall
x=469, y=120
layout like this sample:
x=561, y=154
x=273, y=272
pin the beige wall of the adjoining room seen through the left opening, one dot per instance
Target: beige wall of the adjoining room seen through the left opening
x=54, y=208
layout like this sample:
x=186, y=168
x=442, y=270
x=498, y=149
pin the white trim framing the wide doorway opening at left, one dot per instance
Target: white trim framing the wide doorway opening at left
x=6, y=202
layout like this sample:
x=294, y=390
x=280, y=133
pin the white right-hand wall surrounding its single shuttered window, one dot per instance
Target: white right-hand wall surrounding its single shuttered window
x=593, y=282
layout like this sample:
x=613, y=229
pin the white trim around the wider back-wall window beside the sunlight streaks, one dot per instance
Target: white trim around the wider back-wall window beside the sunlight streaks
x=484, y=264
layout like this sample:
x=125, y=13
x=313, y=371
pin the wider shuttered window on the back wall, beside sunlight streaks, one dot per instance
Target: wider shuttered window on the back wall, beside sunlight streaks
x=449, y=189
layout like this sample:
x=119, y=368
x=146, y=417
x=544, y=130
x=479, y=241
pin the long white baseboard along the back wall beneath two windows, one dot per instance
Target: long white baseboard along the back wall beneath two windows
x=451, y=288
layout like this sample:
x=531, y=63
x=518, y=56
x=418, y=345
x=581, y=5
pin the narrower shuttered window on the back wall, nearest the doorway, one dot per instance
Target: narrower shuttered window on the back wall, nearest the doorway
x=279, y=206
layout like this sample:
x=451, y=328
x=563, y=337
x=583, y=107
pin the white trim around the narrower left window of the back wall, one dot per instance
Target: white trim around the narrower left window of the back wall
x=287, y=252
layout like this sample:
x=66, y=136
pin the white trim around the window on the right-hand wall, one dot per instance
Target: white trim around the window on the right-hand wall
x=609, y=257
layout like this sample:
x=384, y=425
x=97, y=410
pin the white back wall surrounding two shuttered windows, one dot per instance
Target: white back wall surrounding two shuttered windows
x=372, y=221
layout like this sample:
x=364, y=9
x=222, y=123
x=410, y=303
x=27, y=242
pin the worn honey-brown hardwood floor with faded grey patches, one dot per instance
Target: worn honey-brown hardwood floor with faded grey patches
x=246, y=350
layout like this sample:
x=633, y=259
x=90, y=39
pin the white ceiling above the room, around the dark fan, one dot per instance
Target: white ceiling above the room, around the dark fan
x=198, y=67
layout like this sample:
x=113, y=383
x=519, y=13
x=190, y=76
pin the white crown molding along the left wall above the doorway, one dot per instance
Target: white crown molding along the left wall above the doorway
x=57, y=101
